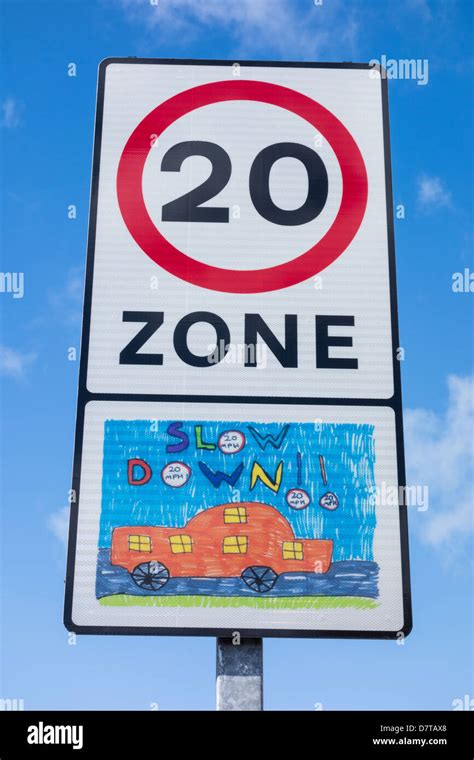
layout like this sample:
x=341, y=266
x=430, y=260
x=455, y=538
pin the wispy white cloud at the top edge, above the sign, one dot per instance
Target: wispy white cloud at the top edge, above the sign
x=278, y=25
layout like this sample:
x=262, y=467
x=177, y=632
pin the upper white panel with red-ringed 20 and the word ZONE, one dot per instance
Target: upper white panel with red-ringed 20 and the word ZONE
x=242, y=207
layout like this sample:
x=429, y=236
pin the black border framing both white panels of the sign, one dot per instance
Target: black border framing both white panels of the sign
x=84, y=395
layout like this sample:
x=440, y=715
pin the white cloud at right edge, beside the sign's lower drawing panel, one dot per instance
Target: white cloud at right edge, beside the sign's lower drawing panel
x=440, y=454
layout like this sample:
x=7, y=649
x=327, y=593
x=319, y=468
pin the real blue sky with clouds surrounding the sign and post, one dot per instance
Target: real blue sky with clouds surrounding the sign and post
x=46, y=138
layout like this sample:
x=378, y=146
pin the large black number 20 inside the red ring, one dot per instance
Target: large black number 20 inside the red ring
x=188, y=208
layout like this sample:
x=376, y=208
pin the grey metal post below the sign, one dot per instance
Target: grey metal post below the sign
x=239, y=674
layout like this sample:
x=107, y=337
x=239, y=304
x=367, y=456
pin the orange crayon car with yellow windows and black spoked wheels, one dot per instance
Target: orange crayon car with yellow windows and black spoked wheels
x=250, y=540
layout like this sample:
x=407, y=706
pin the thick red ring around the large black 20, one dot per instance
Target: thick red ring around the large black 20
x=316, y=258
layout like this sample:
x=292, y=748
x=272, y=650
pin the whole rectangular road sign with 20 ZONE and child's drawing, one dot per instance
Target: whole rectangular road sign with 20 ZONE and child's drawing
x=239, y=461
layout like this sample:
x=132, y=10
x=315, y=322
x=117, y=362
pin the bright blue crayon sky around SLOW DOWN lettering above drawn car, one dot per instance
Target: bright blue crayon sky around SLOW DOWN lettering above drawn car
x=348, y=451
